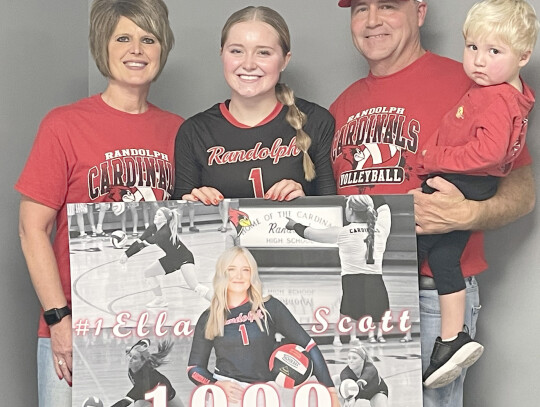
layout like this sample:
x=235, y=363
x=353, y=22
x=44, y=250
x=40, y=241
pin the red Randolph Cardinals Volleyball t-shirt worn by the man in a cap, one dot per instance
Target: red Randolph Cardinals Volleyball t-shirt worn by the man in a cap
x=383, y=123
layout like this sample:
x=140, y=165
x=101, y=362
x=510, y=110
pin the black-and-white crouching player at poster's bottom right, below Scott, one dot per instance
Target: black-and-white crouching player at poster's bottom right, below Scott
x=371, y=385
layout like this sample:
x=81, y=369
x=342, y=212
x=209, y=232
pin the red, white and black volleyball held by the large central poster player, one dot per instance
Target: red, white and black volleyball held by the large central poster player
x=291, y=365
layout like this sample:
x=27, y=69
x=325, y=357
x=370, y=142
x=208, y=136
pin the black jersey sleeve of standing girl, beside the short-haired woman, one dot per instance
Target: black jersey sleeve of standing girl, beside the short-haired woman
x=187, y=170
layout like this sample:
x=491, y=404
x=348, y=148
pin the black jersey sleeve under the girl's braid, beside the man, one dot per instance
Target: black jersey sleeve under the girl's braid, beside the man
x=322, y=135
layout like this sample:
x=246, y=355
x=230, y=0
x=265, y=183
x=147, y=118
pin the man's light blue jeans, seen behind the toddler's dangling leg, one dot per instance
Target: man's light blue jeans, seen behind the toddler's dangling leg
x=430, y=327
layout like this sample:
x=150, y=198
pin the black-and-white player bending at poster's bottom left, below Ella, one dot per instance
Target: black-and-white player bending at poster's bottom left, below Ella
x=144, y=375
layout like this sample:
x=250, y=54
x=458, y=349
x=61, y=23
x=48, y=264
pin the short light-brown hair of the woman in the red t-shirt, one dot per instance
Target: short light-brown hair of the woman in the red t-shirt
x=150, y=15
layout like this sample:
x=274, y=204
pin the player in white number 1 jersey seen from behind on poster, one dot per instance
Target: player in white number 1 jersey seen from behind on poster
x=361, y=245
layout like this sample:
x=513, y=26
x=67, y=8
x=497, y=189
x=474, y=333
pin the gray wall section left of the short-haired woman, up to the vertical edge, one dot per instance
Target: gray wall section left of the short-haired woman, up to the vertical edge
x=44, y=64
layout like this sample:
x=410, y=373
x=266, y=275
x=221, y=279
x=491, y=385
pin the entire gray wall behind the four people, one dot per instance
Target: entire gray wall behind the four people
x=45, y=64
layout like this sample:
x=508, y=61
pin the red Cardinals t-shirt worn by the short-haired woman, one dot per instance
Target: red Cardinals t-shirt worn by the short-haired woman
x=90, y=152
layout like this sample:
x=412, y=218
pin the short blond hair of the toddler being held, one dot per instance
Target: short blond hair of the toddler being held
x=513, y=21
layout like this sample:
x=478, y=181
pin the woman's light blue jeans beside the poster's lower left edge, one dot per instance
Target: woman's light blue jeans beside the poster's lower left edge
x=52, y=392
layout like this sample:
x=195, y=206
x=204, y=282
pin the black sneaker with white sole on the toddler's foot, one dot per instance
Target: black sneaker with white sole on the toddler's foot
x=449, y=358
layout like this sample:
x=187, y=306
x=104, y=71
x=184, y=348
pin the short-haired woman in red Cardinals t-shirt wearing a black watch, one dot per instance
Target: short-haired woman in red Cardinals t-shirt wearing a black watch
x=86, y=150
